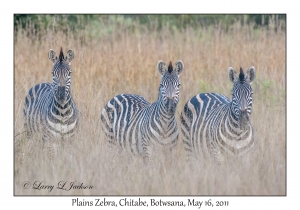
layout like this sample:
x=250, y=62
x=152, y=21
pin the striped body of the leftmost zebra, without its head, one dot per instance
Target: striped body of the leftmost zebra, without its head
x=44, y=115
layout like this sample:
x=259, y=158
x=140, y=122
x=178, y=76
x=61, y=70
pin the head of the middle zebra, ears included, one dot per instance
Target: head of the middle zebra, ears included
x=169, y=85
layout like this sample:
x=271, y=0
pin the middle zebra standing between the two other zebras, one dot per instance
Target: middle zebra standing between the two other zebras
x=133, y=124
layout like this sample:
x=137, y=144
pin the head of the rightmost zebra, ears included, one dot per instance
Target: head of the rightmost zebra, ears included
x=242, y=95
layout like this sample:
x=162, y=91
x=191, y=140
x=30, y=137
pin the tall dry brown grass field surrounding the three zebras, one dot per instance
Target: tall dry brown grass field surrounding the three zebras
x=125, y=62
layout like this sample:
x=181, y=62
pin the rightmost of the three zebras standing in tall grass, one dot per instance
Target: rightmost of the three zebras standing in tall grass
x=214, y=126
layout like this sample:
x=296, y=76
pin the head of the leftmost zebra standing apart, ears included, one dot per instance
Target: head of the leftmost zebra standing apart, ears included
x=61, y=74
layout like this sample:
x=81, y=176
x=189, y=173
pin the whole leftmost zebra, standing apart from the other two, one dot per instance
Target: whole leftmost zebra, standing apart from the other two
x=49, y=107
